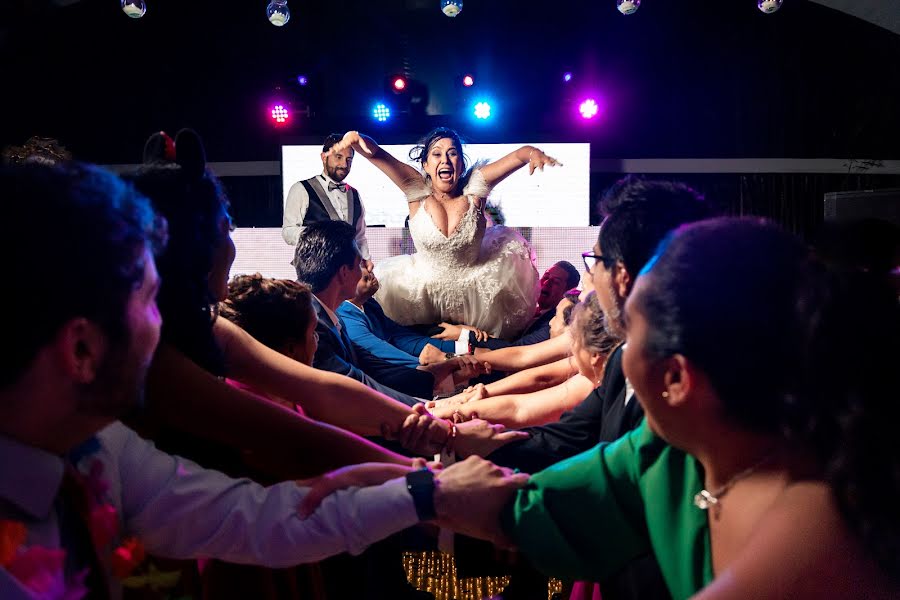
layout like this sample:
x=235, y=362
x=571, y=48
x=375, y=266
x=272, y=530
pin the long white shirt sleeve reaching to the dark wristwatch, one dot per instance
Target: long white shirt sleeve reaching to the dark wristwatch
x=180, y=510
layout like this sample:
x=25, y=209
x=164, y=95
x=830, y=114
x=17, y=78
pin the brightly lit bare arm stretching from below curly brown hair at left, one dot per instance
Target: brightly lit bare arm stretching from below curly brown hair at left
x=323, y=395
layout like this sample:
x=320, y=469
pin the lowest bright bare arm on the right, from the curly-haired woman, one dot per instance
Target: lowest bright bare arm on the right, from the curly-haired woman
x=525, y=410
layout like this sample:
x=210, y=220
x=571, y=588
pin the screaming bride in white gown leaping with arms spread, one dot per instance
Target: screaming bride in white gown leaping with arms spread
x=463, y=271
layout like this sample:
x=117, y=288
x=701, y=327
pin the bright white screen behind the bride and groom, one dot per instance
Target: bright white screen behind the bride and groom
x=557, y=197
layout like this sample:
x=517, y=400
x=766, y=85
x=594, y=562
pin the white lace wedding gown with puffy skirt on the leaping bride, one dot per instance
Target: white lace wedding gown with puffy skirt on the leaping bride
x=479, y=276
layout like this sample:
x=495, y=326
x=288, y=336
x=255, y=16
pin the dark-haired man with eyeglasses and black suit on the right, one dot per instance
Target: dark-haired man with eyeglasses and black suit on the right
x=638, y=214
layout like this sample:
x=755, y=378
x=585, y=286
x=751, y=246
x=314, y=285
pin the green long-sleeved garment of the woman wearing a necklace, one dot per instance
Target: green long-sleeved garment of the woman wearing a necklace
x=588, y=516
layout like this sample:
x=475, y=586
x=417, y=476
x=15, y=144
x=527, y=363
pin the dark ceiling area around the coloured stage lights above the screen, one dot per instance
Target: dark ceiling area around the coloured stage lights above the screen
x=702, y=78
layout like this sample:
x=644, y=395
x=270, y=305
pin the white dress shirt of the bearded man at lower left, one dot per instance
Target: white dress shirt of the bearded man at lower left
x=181, y=510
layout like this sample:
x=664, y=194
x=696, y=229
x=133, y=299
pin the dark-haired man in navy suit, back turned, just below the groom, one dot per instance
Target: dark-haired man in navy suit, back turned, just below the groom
x=327, y=259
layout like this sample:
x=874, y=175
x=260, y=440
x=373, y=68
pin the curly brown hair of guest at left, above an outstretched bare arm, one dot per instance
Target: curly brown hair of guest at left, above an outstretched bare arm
x=274, y=311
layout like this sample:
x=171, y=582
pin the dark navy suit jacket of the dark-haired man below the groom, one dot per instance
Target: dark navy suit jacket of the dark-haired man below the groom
x=336, y=354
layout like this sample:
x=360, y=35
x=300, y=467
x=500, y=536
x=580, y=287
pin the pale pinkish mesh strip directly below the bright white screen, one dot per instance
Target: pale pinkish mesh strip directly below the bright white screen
x=263, y=250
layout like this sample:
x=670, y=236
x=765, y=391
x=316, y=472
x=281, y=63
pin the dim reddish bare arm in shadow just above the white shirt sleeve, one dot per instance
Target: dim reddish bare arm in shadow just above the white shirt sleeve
x=186, y=397
